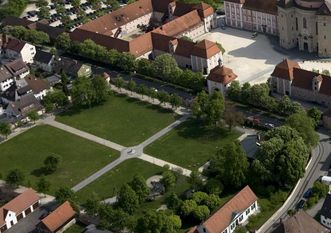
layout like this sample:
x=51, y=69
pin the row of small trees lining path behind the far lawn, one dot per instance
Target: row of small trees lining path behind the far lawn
x=162, y=96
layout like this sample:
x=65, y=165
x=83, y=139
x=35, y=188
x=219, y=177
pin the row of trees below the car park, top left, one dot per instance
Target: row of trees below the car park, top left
x=29, y=35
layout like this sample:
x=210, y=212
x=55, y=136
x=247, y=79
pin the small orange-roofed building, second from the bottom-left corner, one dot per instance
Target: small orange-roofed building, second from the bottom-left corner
x=58, y=220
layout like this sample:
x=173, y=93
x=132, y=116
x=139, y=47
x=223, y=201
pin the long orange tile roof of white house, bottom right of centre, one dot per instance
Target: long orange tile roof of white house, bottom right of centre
x=221, y=219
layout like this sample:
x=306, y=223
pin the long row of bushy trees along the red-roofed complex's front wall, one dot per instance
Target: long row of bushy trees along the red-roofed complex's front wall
x=164, y=67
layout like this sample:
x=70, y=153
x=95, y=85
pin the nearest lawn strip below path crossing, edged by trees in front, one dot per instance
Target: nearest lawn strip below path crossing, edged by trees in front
x=107, y=185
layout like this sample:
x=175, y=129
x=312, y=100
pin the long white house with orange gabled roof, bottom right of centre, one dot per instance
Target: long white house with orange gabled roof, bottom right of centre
x=232, y=214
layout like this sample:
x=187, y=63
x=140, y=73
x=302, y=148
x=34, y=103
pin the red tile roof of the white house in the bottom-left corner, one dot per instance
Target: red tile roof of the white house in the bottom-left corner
x=19, y=203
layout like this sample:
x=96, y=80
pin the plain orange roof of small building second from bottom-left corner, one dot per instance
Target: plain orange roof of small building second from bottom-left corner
x=59, y=217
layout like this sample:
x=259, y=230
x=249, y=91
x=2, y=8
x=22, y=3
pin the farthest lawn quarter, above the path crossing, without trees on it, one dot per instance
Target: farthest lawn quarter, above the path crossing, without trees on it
x=124, y=120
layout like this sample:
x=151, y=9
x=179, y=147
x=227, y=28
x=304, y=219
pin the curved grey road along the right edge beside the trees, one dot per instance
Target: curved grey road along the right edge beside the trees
x=318, y=166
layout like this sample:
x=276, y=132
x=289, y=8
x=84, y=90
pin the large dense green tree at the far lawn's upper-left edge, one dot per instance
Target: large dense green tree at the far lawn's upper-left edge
x=83, y=94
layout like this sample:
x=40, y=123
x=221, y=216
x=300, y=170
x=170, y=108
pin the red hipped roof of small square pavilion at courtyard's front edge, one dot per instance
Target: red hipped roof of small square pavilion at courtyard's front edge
x=222, y=74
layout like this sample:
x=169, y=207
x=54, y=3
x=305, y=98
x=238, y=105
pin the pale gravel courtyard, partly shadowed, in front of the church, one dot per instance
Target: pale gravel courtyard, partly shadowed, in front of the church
x=252, y=59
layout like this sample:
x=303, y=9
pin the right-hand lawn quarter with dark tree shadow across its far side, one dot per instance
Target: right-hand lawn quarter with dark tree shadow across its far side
x=191, y=144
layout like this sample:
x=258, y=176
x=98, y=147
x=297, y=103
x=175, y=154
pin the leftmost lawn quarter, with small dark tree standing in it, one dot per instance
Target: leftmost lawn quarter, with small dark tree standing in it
x=80, y=158
